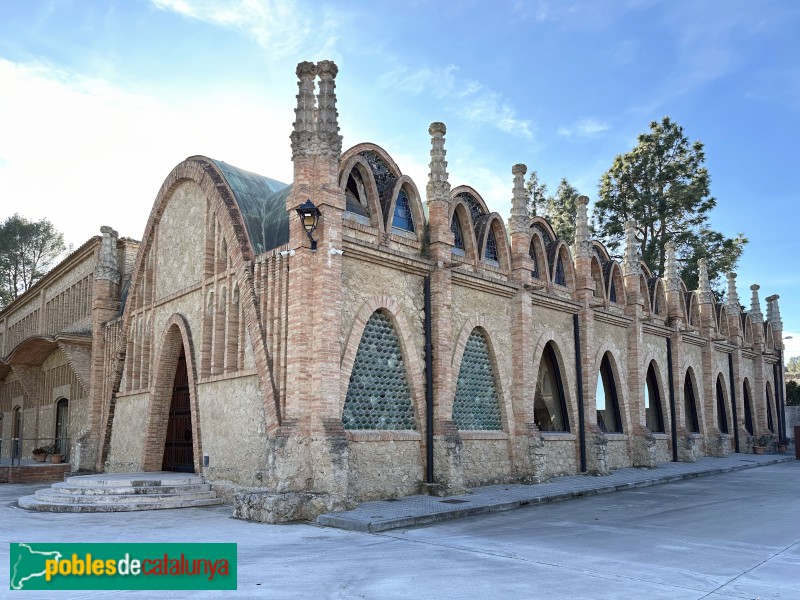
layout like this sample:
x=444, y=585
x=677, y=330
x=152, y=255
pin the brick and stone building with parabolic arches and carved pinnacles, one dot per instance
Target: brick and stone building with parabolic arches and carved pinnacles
x=411, y=342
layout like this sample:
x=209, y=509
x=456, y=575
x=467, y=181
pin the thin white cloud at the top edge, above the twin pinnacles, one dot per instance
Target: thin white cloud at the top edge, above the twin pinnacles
x=280, y=26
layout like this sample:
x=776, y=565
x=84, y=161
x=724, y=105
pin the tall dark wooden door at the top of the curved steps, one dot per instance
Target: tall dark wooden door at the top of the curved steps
x=179, y=446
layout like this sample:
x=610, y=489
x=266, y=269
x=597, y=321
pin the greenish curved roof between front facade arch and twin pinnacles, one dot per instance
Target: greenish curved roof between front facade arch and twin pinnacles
x=262, y=202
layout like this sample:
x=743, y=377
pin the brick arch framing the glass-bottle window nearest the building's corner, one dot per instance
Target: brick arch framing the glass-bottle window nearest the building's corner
x=414, y=368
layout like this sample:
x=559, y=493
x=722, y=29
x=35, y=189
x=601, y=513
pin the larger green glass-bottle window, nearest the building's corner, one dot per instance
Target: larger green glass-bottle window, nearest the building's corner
x=378, y=396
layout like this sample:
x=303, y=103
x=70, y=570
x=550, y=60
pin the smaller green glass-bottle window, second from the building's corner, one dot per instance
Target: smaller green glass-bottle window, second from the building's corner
x=476, y=405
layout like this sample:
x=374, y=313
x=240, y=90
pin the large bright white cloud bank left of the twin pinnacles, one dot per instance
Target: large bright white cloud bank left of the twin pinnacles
x=84, y=153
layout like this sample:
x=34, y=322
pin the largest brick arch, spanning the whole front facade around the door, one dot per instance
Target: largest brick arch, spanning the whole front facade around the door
x=203, y=172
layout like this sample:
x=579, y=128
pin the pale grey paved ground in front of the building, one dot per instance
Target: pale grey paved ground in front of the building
x=735, y=535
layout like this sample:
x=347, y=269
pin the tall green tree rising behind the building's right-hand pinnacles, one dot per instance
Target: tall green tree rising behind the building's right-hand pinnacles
x=664, y=186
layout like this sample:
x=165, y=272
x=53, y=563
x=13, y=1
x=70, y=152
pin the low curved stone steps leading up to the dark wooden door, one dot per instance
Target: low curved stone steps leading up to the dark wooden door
x=113, y=492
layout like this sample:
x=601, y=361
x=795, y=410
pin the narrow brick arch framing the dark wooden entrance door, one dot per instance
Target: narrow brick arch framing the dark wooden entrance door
x=176, y=334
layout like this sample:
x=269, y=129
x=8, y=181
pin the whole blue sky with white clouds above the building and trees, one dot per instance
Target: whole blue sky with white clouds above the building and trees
x=99, y=100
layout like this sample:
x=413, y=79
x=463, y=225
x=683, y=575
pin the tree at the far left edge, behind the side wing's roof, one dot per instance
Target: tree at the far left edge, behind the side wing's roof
x=28, y=249
